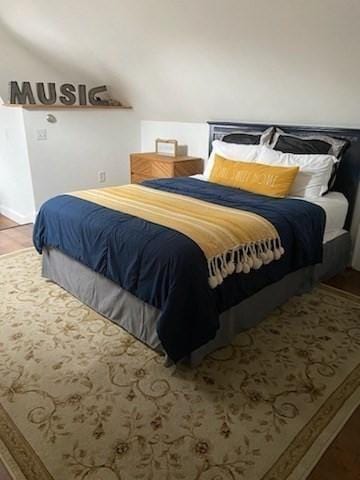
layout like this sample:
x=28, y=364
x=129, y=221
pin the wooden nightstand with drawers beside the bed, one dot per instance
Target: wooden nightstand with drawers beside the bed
x=145, y=166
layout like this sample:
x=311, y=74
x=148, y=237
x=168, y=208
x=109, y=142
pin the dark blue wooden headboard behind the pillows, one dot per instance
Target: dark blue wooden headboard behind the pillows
x=348, y=176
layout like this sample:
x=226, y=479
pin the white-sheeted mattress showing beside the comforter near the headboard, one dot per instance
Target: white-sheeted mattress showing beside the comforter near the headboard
x=335, y=206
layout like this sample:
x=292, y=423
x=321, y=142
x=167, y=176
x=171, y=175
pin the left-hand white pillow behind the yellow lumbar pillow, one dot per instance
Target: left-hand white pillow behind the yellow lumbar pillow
x=231, y=151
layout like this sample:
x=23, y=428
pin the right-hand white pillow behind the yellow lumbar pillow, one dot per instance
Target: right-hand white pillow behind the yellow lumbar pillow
x=314, y=174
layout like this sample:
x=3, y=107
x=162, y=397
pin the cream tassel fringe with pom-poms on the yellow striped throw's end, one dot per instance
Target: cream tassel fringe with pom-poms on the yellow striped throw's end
x=243, y=258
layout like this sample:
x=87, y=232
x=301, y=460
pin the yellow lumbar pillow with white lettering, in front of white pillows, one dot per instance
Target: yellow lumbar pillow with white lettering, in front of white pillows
x=268, y=180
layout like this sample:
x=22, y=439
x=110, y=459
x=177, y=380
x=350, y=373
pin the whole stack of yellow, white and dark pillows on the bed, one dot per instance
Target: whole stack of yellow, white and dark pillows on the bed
x=312, y=161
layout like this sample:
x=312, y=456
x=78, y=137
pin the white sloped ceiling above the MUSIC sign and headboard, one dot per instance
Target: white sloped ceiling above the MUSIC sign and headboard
x=193, y=60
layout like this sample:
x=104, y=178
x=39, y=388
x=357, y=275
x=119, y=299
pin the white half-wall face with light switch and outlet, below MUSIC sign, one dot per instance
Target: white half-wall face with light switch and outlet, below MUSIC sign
x=78, y=146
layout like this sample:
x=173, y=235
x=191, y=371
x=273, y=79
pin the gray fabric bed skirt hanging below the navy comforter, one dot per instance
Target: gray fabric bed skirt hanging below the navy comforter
x=140, y=318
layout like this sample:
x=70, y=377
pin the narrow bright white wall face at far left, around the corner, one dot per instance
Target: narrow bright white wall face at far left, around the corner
x=16, y=193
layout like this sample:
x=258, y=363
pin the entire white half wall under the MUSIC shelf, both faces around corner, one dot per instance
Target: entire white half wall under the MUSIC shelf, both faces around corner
x=79, y=146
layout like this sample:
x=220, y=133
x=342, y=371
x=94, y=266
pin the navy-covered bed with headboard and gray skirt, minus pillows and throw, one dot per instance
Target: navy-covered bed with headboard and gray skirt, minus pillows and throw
x=199, y=321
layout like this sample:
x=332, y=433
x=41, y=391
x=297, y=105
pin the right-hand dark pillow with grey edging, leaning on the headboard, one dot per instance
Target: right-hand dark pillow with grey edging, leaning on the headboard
x=308, y=144
